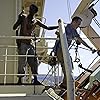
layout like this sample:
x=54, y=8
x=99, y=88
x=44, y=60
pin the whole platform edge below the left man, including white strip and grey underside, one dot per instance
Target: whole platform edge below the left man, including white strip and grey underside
x=23, y=92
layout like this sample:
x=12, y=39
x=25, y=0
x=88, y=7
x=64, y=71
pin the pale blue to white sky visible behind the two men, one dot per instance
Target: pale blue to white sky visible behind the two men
x=64, y=9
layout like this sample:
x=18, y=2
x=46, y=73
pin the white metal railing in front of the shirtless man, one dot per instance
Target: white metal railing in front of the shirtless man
x=14, y=46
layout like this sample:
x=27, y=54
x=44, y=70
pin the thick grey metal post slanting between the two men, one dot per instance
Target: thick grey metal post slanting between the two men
x=67, y=62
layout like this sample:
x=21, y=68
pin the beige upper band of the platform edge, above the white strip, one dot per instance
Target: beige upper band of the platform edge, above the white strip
x=26, y=89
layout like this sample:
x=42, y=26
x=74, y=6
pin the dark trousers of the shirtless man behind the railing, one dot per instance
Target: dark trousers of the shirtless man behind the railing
x=27, y=49
